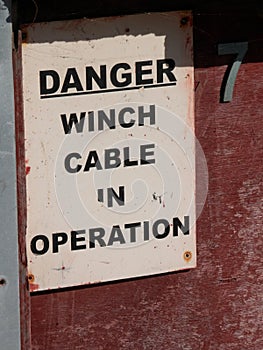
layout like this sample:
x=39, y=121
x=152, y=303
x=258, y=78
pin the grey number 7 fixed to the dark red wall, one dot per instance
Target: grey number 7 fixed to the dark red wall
x=231, y=73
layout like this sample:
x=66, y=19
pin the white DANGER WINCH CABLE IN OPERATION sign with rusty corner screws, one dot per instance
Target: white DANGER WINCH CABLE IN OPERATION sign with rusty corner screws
x=110, y=148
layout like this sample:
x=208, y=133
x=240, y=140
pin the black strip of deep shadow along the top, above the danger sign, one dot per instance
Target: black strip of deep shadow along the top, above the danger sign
x=50, y=10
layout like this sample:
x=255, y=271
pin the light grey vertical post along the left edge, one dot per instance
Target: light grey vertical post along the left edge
x=9, y=262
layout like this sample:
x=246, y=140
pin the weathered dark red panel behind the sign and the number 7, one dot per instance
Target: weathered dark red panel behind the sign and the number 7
x=219, y=304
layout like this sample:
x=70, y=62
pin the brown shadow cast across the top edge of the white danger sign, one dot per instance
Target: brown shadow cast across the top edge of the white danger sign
x=111, y=27
